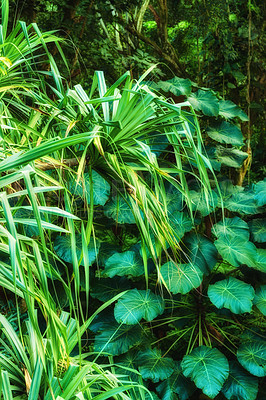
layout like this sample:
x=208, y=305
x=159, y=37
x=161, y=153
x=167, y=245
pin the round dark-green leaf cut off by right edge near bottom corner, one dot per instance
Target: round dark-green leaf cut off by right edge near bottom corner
x=252, y=356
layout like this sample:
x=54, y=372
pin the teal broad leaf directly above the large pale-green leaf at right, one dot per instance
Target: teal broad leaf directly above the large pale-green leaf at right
x=231, y=227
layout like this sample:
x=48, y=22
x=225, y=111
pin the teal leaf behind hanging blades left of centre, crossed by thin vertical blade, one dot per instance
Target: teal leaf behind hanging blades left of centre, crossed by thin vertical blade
x=101, y=188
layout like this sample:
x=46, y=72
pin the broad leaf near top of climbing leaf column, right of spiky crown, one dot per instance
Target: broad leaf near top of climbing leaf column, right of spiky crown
x=205, y=101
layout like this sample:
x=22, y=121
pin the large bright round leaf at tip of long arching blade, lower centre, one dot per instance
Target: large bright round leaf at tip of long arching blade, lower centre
x=137, y=304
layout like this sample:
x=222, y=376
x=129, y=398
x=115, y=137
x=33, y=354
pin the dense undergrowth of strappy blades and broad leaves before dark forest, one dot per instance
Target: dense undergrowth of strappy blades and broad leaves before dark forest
x=131, y=265
